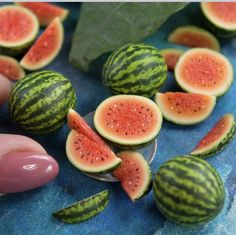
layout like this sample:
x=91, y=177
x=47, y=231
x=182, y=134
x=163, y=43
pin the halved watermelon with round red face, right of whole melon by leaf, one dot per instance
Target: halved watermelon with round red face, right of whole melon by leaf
x=204, y=71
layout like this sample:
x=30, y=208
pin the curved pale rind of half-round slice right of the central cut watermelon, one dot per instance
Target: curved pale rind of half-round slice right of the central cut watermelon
x=181, y=121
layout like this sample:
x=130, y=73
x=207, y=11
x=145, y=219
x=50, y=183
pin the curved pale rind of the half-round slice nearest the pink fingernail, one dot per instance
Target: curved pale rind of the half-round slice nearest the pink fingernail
x=106, y=168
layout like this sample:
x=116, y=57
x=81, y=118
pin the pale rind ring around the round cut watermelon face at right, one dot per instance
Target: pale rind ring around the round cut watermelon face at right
x=188, y=88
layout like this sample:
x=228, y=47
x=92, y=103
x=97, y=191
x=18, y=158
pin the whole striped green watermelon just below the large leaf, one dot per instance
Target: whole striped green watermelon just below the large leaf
x=135, y=69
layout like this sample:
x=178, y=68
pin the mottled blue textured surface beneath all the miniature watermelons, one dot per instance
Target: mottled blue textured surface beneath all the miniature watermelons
x=30, y=212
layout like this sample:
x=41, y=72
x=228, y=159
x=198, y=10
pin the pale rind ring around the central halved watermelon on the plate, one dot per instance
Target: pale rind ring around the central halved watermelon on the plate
x=126, y=141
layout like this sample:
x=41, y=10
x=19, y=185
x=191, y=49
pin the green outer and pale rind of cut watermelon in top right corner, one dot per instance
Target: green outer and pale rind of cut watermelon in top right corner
x=219, y=31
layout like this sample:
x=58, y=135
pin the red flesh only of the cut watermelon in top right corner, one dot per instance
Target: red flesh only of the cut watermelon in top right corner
x=224, y=11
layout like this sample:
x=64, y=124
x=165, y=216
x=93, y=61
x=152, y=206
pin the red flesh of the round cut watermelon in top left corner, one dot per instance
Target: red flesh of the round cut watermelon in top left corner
x=15, y=25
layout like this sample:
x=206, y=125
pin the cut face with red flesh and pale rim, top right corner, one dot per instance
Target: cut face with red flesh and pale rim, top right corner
x=221, y=14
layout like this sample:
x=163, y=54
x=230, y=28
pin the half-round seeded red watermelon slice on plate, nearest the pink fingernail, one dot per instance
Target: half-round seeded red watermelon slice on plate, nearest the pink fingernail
x=88, y=156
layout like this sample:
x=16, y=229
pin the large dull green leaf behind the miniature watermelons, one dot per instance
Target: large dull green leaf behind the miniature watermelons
x=103, y=27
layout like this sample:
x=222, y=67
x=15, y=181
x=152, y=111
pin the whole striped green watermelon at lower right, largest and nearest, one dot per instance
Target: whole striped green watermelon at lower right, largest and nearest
x=188, y=190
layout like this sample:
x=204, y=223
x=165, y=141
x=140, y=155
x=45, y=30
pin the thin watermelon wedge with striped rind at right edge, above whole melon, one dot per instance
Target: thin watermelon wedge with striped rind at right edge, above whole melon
x=217, y=138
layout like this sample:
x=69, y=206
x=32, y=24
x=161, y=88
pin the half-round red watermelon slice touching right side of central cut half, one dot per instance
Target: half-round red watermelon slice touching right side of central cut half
x=185, y=108
